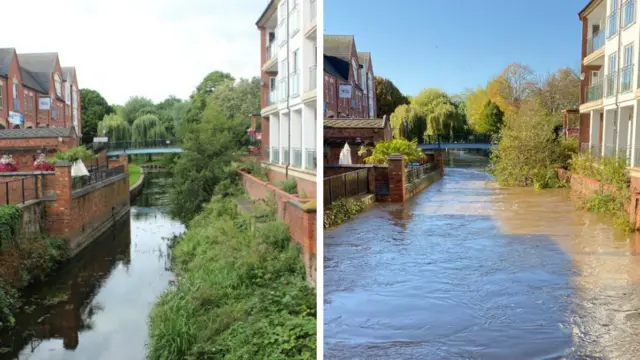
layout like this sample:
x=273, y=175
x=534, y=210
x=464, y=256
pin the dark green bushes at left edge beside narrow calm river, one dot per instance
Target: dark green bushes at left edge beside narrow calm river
x=23, y=260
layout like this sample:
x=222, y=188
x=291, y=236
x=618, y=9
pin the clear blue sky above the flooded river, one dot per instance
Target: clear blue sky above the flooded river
x=455, y=45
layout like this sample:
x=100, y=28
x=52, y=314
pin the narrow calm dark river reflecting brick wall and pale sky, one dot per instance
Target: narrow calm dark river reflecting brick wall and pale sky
x=97, y=306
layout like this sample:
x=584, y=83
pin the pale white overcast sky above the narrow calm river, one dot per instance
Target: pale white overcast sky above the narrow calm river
x=151, y=48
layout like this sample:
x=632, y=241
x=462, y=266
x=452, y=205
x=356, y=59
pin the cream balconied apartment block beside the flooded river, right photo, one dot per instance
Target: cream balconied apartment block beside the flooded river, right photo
x=610, y=86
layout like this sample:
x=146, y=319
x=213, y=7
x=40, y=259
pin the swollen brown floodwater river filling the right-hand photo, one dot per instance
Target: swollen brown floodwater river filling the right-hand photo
x=469, y=270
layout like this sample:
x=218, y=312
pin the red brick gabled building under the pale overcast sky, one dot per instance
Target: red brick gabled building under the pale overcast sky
x=36, y=88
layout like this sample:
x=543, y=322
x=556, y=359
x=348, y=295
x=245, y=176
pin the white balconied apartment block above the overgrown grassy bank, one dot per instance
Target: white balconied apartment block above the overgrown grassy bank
x=289, y=73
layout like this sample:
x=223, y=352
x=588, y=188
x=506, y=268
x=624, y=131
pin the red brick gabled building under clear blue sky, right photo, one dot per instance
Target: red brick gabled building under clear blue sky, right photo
x=343, y=65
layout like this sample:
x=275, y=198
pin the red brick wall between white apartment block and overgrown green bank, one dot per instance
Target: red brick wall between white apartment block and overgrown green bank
x=301, y=223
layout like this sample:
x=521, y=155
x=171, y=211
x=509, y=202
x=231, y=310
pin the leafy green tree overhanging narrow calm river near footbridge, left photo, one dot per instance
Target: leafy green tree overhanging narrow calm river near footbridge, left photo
x=210, y=145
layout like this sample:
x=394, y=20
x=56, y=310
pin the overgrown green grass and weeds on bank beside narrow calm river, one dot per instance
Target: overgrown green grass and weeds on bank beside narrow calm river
x=242, y=292
